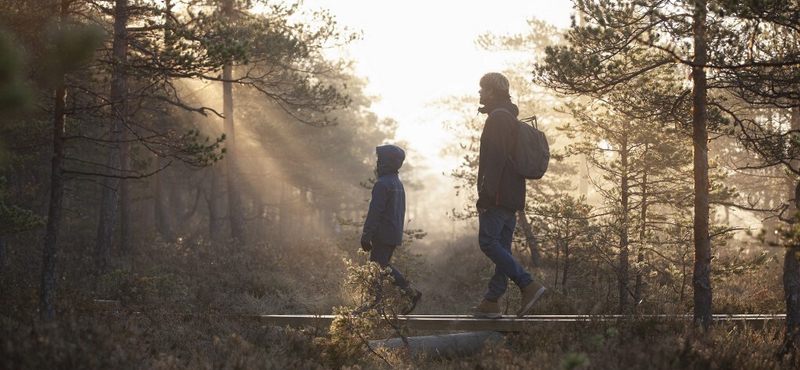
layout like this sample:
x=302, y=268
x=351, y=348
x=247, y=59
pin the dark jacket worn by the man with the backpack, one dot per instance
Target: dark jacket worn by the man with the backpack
x=498, y=181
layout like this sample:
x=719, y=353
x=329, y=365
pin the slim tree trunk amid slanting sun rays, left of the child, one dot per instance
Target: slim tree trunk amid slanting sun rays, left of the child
x=234, y=196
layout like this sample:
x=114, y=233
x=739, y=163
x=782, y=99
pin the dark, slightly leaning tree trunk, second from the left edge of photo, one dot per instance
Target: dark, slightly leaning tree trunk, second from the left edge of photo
x=108, y=204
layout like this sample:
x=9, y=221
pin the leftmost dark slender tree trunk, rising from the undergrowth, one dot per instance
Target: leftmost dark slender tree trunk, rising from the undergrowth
x=47, y=294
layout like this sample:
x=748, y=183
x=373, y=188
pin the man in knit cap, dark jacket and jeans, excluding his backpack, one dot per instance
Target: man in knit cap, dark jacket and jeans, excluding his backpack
x=501, y=192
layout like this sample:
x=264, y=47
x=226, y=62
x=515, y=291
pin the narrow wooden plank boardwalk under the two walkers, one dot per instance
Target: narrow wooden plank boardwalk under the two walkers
x=507, y=323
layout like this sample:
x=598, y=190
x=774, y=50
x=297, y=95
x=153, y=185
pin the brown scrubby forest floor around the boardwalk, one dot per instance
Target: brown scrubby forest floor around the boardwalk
x=179, y=304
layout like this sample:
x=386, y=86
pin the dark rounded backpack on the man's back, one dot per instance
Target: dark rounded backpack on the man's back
x=531, y=152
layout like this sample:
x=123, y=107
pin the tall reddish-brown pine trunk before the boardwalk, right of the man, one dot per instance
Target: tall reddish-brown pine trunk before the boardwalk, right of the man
x=701, y=279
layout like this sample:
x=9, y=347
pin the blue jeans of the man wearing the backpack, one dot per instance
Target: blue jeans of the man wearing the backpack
x=495, y=233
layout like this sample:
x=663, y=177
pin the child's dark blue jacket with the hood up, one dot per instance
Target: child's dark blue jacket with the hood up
x=387, y=209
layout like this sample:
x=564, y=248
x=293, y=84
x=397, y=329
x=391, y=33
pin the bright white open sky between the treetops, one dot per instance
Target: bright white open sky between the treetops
x=417, y=51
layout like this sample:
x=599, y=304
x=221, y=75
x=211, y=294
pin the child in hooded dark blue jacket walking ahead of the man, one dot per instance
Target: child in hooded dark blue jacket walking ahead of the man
x=383, y=227
